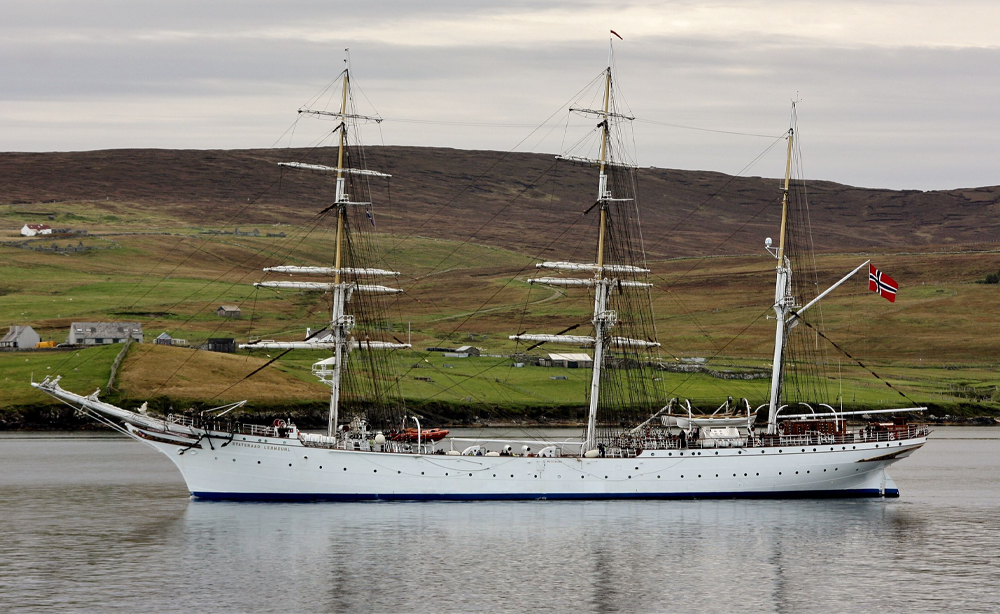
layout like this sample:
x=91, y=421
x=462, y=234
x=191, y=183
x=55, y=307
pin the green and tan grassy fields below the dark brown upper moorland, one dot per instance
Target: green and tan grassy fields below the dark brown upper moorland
x=937, y=344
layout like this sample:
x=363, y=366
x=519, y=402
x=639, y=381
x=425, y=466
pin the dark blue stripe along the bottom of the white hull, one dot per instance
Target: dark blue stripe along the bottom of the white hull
x=793, y=494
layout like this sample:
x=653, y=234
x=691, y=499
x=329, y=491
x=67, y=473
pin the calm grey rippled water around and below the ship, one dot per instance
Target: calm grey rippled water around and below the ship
x=101, y=523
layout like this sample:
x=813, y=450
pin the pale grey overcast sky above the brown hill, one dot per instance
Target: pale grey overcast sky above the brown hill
x=900, y=94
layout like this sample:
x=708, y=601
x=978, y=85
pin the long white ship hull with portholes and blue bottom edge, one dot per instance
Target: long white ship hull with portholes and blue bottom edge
x=277, y=469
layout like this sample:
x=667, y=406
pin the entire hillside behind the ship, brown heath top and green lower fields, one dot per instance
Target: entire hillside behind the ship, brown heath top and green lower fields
x=155, y=261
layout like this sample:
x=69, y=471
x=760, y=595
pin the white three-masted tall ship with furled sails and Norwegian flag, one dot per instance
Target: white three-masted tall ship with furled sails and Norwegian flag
x=636, y=443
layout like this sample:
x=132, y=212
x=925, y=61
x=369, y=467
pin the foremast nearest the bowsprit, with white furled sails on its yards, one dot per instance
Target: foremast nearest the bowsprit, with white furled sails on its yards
x=346, y=280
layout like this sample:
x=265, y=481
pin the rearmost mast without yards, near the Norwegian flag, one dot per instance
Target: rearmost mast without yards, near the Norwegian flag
x=784, y=301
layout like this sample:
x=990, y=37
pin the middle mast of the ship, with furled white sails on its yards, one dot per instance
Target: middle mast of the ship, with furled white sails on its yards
x=603, y=280
